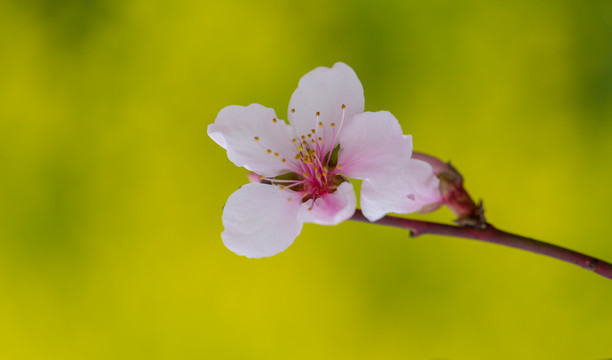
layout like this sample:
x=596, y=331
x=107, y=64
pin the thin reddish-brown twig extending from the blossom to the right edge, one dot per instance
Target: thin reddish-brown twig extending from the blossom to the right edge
x=493, y=235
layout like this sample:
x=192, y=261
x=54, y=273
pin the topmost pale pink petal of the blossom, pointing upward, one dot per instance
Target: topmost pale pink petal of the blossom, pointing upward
x=325, y=90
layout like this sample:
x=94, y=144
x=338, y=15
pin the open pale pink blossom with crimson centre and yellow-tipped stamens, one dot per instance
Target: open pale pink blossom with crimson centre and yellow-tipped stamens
x=304, y=166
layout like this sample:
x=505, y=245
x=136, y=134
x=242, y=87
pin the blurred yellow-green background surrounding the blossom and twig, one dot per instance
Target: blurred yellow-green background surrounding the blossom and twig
x=111, y=192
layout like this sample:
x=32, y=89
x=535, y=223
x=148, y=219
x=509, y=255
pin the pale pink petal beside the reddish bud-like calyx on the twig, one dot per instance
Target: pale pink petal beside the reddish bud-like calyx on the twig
x=418, y=187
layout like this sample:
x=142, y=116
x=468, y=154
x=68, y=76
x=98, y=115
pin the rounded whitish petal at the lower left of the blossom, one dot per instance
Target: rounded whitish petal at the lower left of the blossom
x=260, y=220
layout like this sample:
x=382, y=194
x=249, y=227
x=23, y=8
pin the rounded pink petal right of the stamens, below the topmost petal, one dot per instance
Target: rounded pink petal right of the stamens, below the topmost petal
x=373, y=147
